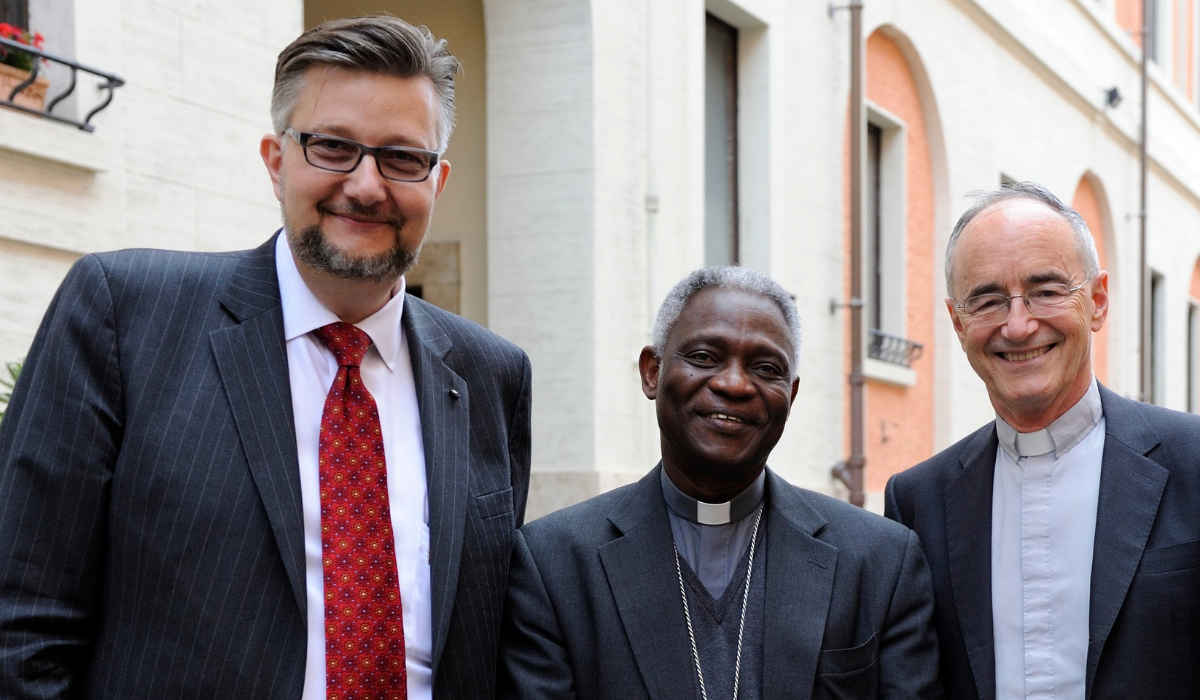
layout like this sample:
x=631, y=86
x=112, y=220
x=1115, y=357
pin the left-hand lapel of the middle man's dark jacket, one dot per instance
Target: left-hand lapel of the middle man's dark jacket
x=640, y=567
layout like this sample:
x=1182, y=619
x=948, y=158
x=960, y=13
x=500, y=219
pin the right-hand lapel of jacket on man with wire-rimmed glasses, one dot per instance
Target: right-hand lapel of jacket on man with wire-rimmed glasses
x=1131, y=489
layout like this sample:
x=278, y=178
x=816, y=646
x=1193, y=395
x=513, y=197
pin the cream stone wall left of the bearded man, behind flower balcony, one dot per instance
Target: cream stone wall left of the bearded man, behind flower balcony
x=172, y=164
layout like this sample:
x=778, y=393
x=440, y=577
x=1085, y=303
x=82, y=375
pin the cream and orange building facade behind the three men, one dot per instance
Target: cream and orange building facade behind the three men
x=605, y=148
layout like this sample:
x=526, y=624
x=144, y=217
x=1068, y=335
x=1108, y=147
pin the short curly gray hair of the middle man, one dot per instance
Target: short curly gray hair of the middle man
x=730, y=278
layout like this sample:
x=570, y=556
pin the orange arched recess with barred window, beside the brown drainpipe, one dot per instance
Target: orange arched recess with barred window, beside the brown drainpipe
x=899, y=265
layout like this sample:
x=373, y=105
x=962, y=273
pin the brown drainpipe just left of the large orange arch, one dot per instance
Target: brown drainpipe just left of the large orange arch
x=850, y=472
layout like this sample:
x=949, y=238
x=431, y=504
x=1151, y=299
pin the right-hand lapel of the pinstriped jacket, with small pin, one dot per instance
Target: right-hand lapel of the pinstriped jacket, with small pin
x=446, y=434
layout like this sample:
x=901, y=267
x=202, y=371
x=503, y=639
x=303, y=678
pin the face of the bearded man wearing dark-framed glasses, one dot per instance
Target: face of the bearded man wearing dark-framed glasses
x=357, y=225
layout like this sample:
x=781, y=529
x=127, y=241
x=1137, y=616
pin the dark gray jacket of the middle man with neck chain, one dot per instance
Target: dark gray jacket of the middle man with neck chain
x=595, y=609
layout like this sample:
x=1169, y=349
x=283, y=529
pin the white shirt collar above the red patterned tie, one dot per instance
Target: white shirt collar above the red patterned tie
x=303, y=313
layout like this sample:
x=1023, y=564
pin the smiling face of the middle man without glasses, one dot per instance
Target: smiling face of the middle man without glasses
x=723, y=391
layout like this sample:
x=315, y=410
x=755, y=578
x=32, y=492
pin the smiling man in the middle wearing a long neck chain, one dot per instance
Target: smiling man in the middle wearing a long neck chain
x=712, y=577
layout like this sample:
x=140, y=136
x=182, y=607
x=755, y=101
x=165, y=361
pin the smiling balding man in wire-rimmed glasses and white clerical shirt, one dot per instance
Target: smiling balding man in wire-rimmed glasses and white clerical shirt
x=1064, y=537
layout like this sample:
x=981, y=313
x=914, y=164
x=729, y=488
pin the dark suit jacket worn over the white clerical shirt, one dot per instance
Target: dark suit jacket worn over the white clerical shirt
x=1145, y=608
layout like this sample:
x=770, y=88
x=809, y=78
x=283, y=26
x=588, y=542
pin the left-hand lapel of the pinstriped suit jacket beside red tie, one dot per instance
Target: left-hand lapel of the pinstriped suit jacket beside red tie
x=251, y=358
